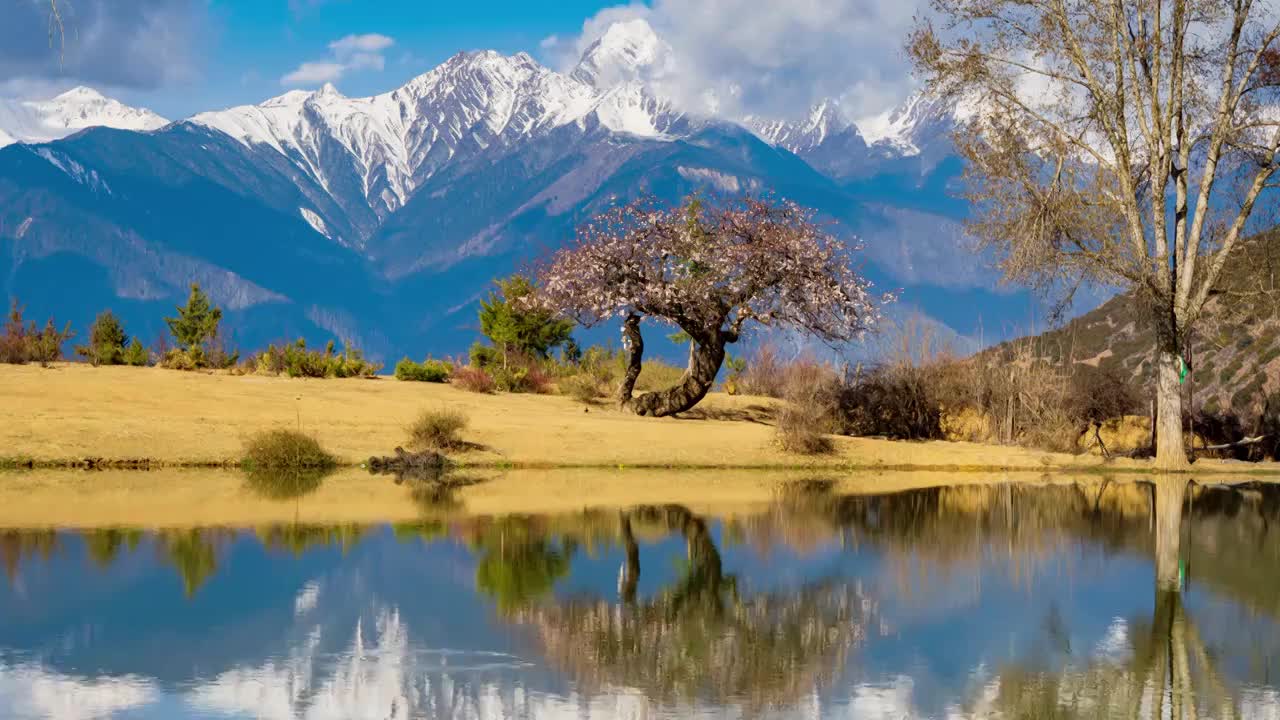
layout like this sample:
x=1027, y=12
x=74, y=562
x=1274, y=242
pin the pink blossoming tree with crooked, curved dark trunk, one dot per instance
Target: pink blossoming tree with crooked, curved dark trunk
x=712, y=271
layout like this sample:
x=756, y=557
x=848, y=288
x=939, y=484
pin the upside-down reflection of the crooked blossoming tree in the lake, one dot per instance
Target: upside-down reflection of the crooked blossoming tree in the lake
x=700, y=637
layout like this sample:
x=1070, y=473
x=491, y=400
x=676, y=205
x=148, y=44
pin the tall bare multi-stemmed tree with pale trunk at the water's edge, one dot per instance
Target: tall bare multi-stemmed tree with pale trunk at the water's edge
x=1119, y=142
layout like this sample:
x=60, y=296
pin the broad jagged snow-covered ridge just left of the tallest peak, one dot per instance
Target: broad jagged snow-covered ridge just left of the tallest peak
x=382, y=149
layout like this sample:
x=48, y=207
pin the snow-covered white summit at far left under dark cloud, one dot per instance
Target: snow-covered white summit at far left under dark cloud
x=43, y=121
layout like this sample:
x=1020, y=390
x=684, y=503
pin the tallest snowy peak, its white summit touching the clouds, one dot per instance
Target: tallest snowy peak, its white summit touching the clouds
x=628, y=52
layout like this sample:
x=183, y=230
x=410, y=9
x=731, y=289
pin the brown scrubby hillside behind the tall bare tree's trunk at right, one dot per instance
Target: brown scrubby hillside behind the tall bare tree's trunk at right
x=1235, y=354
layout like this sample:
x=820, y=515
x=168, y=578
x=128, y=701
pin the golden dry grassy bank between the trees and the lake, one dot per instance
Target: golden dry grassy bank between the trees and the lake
x=76, y=414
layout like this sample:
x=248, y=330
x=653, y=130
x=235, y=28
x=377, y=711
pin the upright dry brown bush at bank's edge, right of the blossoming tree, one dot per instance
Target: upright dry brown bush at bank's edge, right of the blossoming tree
x=811, y=411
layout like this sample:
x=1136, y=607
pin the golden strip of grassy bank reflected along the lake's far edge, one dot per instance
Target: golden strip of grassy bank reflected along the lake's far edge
x=188, y=499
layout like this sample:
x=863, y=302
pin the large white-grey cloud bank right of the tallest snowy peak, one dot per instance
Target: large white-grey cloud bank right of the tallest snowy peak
x=775, y=60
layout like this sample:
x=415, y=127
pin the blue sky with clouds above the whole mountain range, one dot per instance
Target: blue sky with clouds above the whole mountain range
x=182, y=57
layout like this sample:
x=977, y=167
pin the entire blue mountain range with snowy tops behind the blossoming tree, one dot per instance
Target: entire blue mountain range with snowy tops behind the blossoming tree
x=383, y=220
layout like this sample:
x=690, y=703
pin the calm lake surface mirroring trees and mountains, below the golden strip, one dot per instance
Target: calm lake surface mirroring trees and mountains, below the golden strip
x=1090, y=600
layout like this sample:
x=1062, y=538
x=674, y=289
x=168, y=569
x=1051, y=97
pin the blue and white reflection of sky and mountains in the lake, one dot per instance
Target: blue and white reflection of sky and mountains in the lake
x=395, y=628
